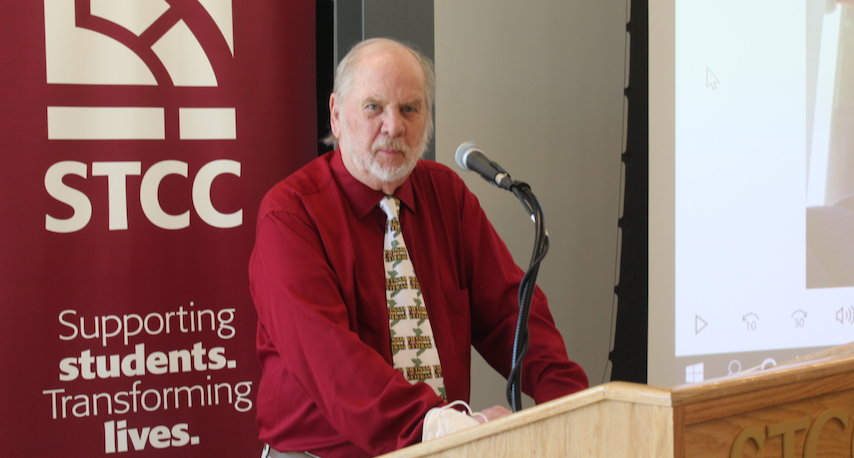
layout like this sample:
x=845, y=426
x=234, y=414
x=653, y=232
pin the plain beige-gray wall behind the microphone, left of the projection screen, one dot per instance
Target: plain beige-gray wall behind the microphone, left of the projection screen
x=539, y=85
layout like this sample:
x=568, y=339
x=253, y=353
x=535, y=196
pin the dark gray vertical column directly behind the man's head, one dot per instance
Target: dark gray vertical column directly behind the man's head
x=410, y=21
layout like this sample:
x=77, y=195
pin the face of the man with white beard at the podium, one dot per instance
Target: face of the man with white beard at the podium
x=381, y=121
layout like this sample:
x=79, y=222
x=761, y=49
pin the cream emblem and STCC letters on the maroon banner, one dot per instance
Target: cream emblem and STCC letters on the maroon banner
x=131, y=71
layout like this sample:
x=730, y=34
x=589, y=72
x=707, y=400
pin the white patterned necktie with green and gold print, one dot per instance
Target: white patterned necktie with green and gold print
x=412, y=345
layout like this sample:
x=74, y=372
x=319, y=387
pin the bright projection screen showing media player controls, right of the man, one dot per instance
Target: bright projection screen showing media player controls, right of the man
x=762, y=190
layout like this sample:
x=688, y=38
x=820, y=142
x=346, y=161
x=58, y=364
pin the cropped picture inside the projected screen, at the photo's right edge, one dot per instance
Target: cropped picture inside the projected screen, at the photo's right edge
x=830, y=144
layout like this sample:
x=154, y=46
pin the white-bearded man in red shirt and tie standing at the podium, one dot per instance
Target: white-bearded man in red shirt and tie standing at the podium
x=331, y=384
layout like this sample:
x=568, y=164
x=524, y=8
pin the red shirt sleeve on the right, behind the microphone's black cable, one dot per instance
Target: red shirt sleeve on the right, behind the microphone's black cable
x=494, y=277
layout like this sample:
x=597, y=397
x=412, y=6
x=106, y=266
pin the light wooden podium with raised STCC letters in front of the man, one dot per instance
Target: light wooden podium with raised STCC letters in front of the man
x=804, y=408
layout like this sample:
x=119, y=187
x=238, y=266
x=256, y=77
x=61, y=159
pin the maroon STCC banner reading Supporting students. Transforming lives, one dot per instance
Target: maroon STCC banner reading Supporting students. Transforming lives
x=138, y=138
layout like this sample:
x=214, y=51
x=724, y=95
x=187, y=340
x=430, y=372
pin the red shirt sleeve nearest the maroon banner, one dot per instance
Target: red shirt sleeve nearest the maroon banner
x=309, y=327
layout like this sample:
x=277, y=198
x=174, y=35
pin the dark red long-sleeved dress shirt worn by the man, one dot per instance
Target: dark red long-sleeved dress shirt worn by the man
x=317, y=280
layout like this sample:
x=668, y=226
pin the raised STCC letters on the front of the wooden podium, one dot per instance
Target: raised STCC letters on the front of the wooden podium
x=788, y=430
